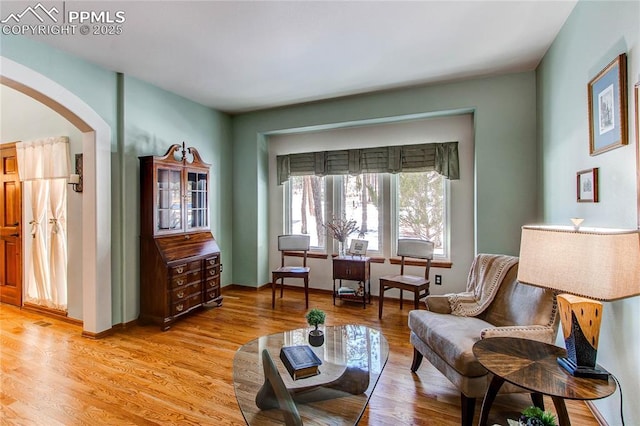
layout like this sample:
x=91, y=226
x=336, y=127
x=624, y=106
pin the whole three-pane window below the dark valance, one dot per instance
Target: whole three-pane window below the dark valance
x=417, y=204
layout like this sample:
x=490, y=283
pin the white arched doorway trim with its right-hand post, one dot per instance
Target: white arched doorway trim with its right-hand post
x=96, y=203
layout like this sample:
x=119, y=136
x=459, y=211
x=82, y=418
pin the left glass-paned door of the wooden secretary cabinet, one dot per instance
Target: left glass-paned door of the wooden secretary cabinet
x=169, y=202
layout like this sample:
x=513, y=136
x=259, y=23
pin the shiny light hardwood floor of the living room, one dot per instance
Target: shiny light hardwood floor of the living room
x=142, y=376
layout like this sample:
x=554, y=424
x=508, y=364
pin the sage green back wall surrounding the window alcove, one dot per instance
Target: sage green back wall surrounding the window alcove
x=505, y=157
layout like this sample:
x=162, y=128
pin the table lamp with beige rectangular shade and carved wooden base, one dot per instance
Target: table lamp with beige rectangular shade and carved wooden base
x=588, y=264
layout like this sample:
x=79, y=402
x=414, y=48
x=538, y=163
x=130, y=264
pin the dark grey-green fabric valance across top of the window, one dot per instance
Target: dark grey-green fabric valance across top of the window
x=441, y=157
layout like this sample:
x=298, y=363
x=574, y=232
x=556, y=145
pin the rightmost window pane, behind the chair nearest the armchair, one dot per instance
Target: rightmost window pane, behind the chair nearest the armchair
x=421, y=208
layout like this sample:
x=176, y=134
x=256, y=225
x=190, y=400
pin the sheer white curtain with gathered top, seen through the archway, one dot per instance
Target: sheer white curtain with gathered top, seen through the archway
x=44, y=165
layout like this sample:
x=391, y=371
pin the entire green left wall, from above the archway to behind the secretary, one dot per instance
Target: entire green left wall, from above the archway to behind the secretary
x=144, y=120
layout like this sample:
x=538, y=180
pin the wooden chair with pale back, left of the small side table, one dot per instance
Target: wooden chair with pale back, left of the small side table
x=287, y=244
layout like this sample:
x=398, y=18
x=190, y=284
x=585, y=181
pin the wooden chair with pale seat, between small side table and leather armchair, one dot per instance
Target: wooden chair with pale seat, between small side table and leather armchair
x=412, y=248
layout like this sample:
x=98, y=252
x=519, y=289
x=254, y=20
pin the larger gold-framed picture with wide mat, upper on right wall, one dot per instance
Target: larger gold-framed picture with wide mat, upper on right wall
x=607, y=93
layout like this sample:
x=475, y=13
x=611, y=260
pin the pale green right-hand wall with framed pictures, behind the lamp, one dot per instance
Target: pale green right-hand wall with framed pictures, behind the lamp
x=595, y=33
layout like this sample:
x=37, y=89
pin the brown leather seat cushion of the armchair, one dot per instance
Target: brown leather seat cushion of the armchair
x=451, y=337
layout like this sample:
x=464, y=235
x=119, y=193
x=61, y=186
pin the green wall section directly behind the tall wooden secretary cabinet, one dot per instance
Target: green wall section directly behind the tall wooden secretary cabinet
x=155, y=119
